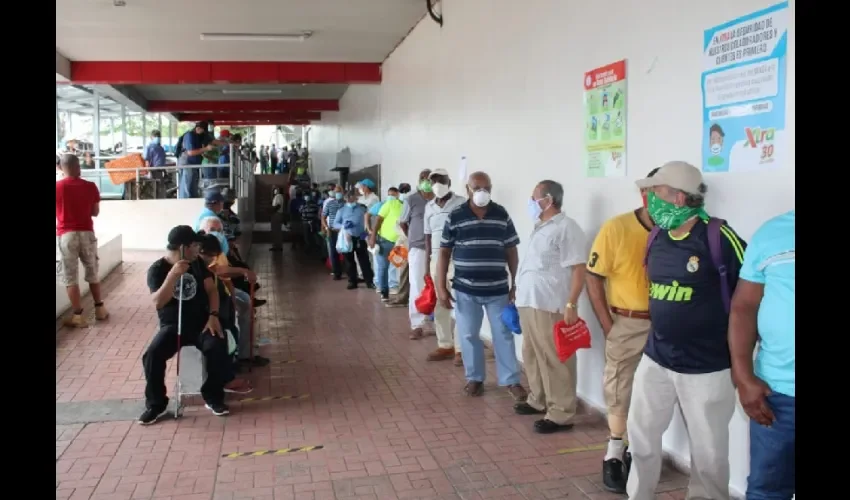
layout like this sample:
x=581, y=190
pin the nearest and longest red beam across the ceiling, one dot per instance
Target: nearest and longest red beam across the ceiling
x=194, y=72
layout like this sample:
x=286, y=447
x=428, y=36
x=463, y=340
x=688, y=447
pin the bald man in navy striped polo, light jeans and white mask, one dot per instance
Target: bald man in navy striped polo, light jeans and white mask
x=480, y=240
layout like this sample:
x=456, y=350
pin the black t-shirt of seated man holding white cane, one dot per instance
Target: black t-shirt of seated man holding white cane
x=195, y=300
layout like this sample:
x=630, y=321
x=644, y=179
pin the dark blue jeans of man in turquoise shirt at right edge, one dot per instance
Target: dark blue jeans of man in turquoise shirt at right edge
x=772, y=451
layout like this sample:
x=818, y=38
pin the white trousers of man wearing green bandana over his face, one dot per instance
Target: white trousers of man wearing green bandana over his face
x=706, y=402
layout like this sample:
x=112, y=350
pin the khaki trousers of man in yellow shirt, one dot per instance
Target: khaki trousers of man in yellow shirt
x=623, y=349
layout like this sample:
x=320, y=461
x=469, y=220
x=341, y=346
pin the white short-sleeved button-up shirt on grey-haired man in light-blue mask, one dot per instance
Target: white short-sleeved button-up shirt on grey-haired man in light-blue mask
x=545, y=272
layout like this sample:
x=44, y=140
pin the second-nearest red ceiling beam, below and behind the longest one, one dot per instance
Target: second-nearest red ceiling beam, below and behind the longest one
x=282, y=105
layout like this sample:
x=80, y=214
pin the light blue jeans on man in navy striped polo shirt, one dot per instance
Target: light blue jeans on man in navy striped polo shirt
x=469, y=314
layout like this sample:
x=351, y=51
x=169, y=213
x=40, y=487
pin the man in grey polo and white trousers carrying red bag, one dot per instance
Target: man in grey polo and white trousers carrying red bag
x=412, y=223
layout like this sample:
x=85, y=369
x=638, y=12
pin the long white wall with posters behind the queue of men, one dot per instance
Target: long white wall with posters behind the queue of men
x=500, y=83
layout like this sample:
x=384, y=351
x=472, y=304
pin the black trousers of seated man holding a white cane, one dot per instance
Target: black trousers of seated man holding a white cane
x=164, y=346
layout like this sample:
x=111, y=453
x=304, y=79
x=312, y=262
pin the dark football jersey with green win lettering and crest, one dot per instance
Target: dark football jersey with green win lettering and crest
x=689, y=321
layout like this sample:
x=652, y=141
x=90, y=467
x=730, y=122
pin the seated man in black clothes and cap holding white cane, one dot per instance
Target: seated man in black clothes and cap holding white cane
x=181, y=277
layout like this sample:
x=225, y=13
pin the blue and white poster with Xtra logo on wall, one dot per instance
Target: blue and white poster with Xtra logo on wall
x=743, y=92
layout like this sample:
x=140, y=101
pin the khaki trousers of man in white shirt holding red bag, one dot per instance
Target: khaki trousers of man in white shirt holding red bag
x=552, y=384
